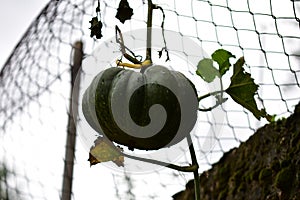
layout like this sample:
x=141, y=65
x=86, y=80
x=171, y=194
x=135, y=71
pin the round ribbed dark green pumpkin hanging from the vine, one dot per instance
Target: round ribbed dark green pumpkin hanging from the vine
x=147, y=111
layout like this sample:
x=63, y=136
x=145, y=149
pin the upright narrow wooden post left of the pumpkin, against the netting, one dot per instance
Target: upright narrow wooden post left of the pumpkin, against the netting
x=71, y=129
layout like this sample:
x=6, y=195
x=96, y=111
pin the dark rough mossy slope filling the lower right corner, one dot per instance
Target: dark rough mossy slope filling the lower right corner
x=266, y=166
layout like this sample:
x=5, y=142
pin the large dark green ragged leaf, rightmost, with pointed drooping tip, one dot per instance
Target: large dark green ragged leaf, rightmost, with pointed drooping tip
x=242, y=90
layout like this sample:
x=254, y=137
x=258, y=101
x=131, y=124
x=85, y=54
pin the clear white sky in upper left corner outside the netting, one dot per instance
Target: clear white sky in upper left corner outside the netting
x=15, y=17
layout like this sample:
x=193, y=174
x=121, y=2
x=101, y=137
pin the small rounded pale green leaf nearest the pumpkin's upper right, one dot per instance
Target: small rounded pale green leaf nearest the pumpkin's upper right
x=206, y=70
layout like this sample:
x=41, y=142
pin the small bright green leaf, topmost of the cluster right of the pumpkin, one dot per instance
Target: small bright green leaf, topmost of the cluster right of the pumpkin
x=222, y=57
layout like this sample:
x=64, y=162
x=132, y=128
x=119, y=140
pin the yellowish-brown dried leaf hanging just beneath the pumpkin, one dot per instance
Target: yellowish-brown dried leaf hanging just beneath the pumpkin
x=104, y=151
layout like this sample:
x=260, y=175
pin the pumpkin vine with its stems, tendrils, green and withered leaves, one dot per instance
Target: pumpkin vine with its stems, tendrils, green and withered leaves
x=242, y=88
